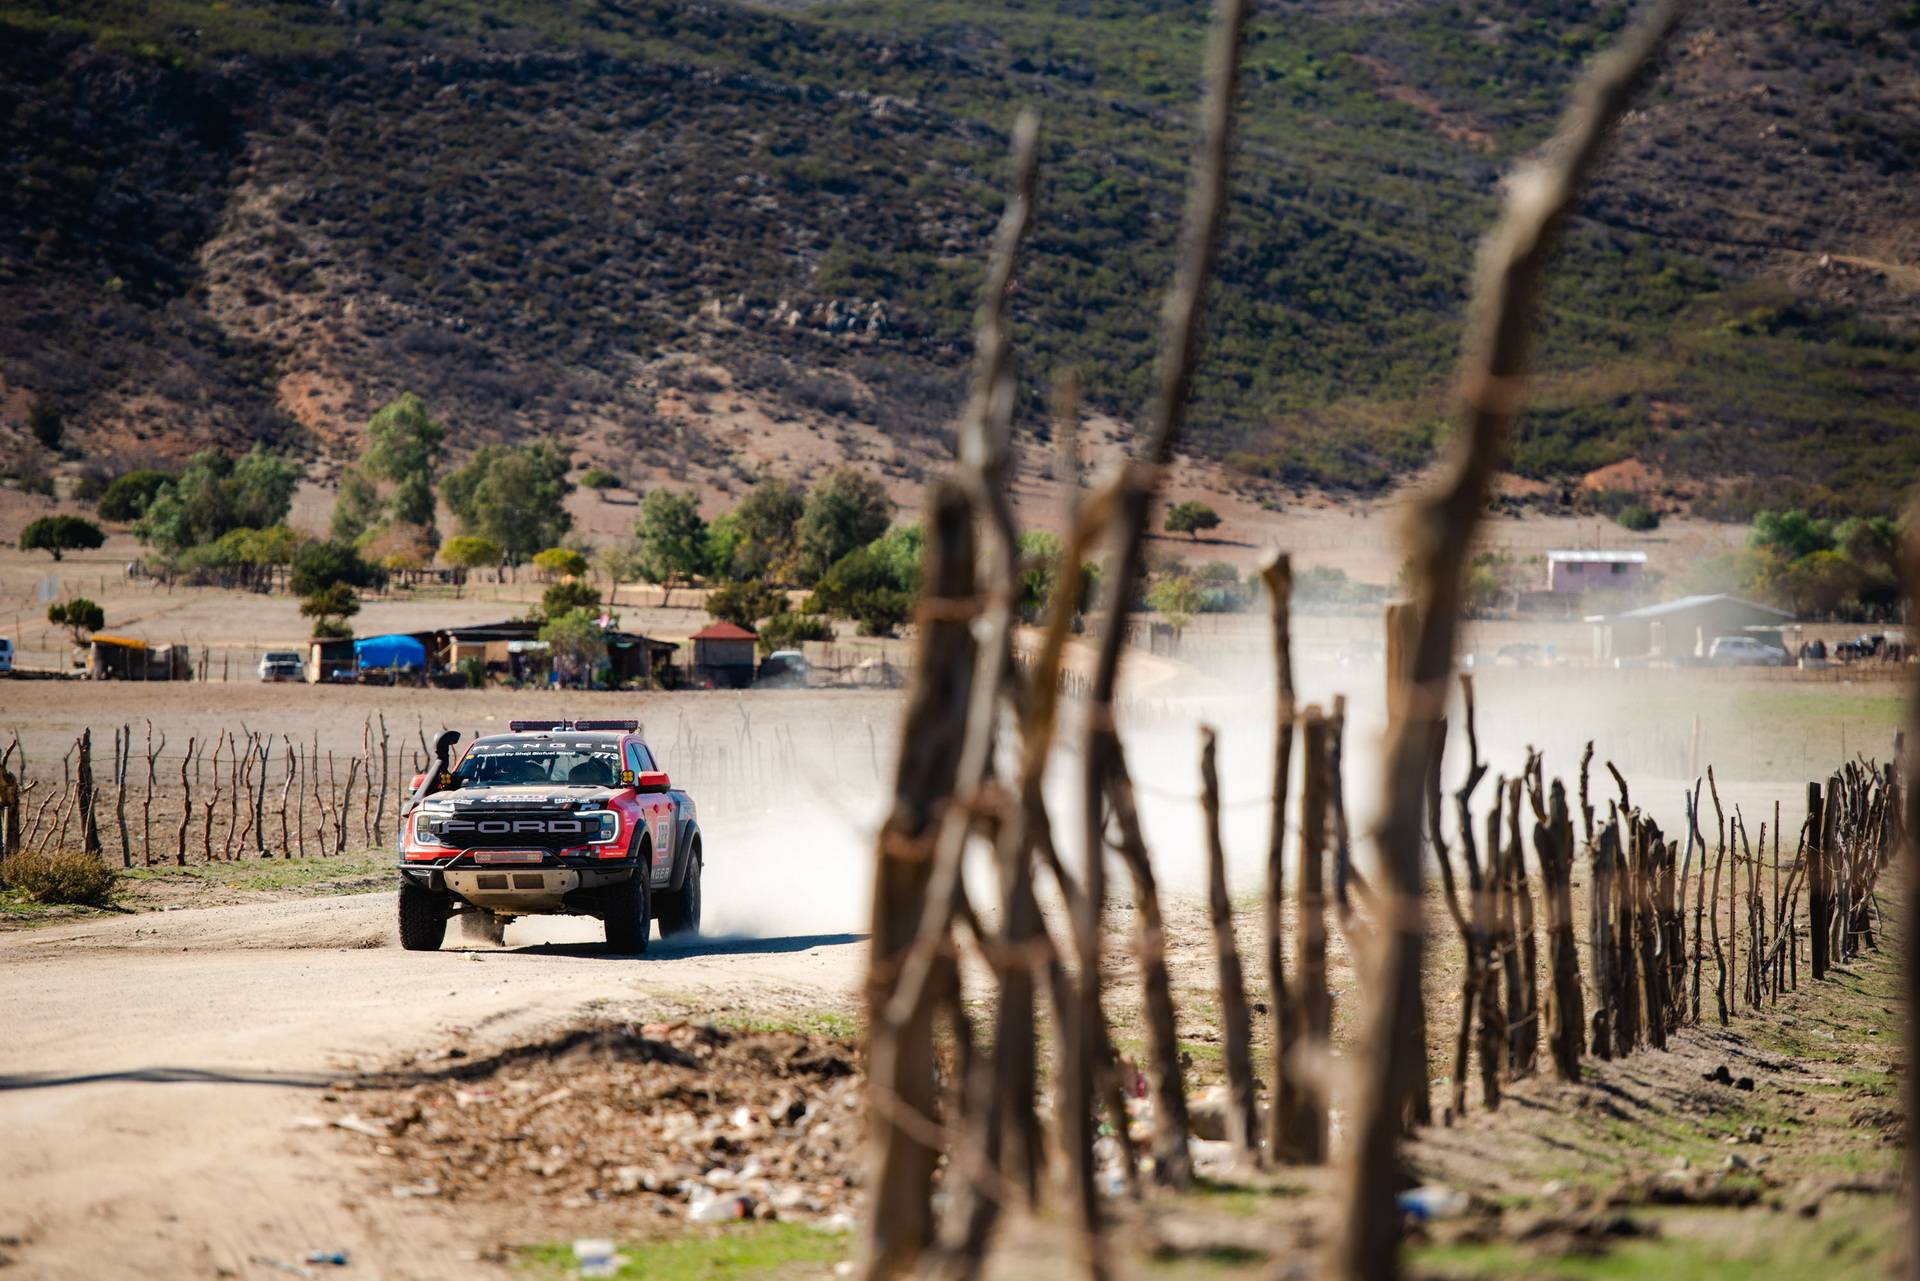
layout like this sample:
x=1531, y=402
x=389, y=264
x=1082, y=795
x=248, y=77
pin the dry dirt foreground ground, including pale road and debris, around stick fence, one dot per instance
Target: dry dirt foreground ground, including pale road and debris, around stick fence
x=220, y=1092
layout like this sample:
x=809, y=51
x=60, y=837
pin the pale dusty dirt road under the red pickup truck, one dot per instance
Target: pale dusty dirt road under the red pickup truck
x=162, y=1075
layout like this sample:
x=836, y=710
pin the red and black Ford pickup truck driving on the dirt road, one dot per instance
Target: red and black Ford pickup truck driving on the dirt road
x=552, y=819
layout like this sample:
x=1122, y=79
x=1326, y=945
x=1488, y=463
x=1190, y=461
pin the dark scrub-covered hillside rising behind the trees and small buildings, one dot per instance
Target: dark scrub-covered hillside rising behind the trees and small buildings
x=706, y=239
